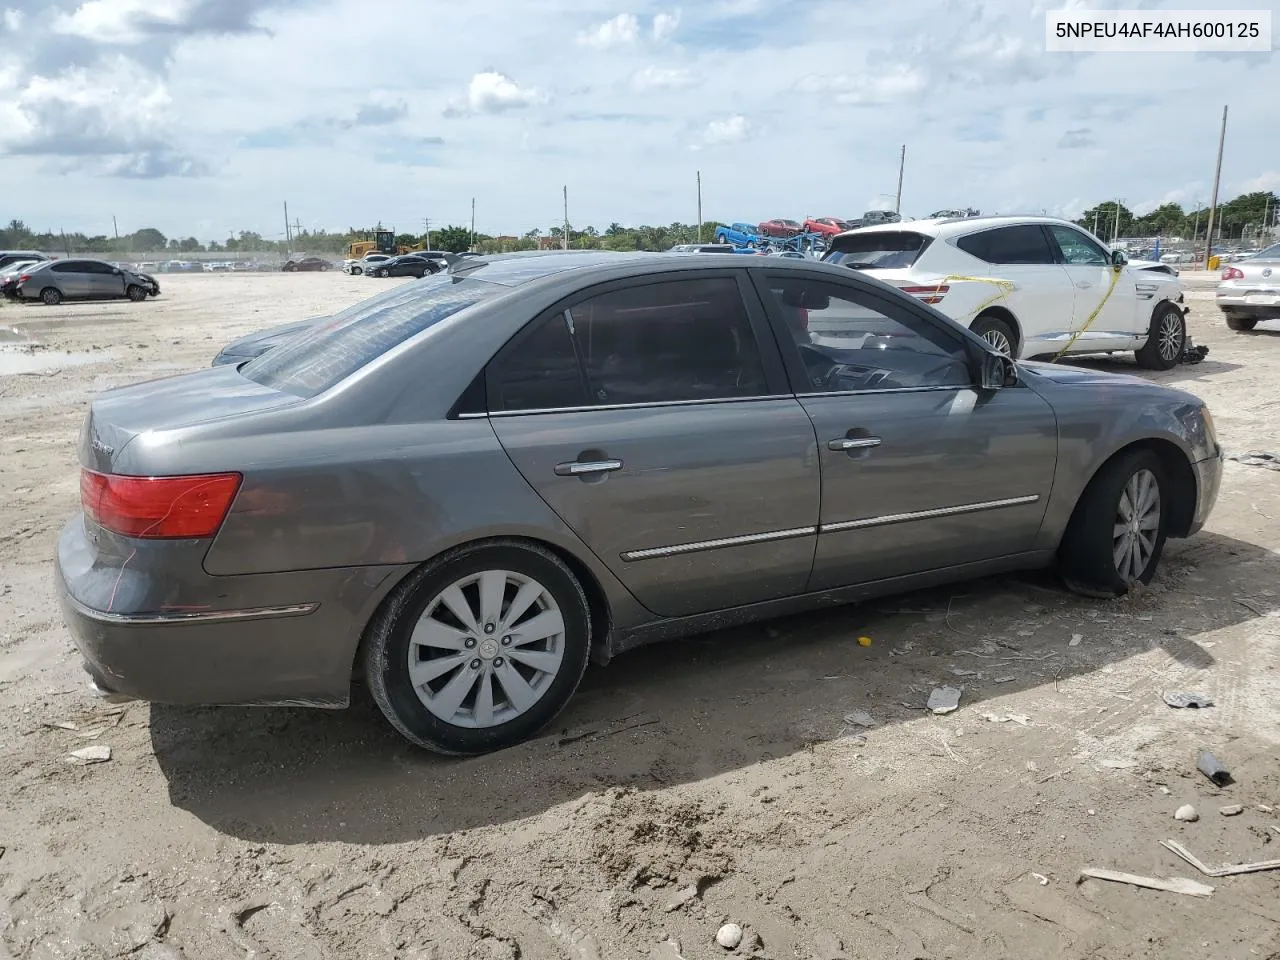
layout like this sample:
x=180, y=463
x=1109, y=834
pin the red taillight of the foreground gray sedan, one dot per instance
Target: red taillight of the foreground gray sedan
x=158, y=508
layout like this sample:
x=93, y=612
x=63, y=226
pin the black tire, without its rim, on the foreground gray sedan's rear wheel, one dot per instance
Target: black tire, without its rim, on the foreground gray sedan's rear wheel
x=388, y=642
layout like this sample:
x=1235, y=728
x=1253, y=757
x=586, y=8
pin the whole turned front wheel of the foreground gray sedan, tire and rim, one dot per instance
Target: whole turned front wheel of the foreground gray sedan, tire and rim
x=1117, y=533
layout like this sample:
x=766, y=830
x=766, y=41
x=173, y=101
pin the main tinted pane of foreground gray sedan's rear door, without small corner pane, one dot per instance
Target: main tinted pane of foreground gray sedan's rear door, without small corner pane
x=666, y=342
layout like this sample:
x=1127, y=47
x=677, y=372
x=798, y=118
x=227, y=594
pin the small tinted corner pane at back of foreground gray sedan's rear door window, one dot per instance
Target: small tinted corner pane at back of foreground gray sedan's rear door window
x=540, y=372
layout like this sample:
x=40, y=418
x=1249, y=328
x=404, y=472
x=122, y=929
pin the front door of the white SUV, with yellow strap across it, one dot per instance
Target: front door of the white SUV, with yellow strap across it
x=1105, y=298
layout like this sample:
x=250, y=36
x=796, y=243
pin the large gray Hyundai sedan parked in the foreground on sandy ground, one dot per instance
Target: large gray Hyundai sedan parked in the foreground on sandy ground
x=463, y=490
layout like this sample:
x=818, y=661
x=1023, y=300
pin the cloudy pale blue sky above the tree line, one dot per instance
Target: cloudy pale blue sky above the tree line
x=200, y=117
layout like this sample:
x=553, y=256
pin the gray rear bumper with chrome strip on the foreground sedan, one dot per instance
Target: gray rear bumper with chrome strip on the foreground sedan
x=267, y=639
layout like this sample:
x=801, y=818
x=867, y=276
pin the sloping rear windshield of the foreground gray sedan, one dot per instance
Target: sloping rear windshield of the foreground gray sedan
x=333, y=351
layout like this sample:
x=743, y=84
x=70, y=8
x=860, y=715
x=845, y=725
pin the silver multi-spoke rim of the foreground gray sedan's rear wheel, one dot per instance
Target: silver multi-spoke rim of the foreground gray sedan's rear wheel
x=487, y=648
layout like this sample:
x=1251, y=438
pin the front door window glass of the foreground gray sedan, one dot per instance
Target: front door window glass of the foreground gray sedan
x=853, y=341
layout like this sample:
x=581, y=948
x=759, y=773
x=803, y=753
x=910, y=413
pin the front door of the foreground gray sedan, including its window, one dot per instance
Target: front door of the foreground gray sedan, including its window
x=921, y=470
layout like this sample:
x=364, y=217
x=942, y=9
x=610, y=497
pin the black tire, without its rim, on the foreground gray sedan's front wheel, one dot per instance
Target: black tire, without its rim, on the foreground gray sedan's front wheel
x=1087, y=555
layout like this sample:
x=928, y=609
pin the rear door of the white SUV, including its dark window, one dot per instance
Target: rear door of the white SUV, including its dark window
x=1041, y=298
